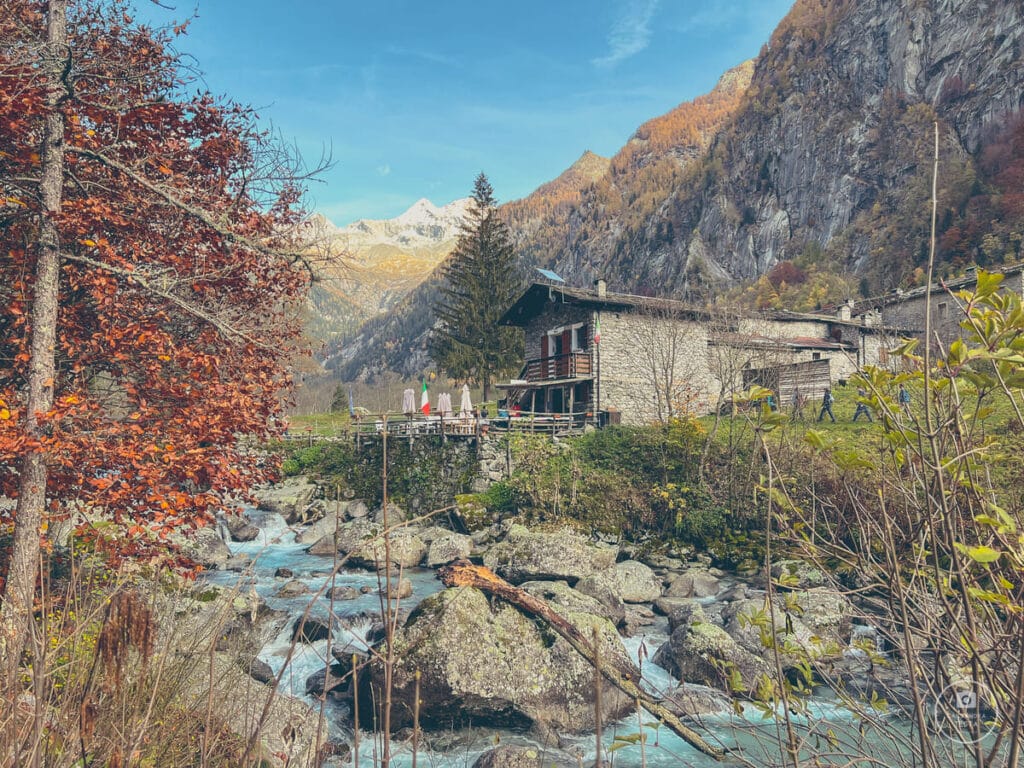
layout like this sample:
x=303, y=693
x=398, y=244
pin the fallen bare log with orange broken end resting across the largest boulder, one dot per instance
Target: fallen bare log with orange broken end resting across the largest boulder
x=464, y=574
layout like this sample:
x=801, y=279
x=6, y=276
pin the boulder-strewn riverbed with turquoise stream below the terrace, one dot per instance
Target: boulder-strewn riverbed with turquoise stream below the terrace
x=489, y=674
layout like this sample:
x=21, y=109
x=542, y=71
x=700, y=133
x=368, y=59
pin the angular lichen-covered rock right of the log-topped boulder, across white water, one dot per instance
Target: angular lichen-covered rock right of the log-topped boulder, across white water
x=700, y=652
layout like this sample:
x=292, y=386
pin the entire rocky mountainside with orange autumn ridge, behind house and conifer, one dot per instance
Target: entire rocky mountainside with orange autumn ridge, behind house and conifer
x=820, y=151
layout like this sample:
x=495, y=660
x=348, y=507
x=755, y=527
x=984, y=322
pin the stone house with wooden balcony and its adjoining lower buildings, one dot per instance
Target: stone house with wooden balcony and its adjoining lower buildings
x=602, y=356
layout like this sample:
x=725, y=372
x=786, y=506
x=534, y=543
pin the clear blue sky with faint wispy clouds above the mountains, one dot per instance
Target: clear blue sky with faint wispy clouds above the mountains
x=413, y=100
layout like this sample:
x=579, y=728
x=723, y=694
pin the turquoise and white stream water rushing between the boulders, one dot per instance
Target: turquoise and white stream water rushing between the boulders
x=828, y=734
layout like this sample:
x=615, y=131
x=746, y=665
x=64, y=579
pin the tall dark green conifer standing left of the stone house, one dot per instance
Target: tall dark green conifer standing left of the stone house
x=482, y=280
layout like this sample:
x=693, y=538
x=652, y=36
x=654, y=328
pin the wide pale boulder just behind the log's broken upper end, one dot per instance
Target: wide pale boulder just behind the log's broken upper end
x=527, y=556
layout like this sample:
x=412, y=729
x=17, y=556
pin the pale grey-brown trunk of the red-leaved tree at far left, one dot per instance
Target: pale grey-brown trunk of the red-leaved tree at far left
x=21, y=586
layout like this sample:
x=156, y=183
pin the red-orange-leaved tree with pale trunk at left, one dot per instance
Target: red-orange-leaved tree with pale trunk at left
x=150, y=280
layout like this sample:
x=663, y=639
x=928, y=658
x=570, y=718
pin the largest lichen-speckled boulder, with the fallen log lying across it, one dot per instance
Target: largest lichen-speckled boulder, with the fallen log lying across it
x=486, y=663
